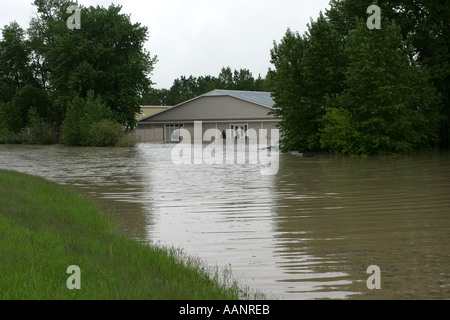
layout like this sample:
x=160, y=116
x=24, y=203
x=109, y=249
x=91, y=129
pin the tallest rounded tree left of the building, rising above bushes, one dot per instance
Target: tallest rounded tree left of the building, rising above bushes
x=106, y=55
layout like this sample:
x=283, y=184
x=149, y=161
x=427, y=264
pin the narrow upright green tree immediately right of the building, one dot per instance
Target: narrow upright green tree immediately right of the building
x=309, y=70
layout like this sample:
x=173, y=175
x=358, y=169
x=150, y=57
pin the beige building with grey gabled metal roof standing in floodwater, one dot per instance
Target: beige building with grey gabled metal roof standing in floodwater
x=219, y=109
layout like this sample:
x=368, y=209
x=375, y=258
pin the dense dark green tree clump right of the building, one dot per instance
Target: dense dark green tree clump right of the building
x=350, y=89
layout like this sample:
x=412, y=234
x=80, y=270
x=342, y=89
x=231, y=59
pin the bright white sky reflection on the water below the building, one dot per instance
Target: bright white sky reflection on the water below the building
x=222, y=214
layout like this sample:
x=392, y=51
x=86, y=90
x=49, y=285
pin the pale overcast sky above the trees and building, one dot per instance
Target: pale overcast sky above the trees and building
x=199, y=37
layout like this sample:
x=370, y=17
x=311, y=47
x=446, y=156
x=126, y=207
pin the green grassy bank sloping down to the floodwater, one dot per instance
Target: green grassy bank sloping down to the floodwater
x=45, y=228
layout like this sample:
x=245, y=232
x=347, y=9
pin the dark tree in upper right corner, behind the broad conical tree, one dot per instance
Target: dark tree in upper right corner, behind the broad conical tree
x=424, y=24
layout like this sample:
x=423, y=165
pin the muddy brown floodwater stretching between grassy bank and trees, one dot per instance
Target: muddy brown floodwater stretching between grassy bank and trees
x=309, y=232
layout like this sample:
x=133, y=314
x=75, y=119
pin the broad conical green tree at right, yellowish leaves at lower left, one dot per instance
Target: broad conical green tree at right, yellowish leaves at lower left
x=386, y=107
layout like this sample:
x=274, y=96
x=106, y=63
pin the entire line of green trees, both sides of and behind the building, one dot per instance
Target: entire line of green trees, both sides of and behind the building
x=340, y=87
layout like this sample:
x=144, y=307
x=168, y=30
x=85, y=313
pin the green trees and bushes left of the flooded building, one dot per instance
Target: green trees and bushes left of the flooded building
x=80, y=87
